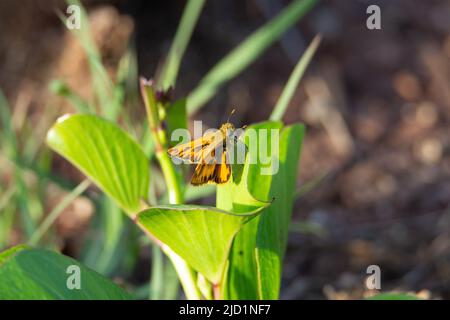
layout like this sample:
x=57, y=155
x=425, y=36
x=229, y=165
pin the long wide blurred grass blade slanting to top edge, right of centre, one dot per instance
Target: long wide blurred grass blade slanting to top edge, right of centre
x=246, y=53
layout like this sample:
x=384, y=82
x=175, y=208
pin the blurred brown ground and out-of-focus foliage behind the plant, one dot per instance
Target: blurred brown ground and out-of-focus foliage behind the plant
x=374, y=183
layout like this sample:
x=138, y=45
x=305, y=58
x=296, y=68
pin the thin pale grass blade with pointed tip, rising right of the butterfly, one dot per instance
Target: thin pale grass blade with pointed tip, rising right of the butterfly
x=294, y=79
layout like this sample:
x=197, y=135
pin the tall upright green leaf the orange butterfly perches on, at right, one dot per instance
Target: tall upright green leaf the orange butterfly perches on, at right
x=257, y=253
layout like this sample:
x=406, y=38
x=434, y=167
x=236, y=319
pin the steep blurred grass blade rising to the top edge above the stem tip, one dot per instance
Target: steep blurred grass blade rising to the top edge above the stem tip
x=183, y=35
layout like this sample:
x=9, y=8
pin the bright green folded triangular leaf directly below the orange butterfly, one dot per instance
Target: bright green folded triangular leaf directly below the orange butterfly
x=201, y=235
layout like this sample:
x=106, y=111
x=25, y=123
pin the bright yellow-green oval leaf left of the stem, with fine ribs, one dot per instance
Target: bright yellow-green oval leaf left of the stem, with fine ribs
x=106, y=154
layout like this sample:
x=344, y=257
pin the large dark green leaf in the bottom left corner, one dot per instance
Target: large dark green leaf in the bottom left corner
x=37, y=274
